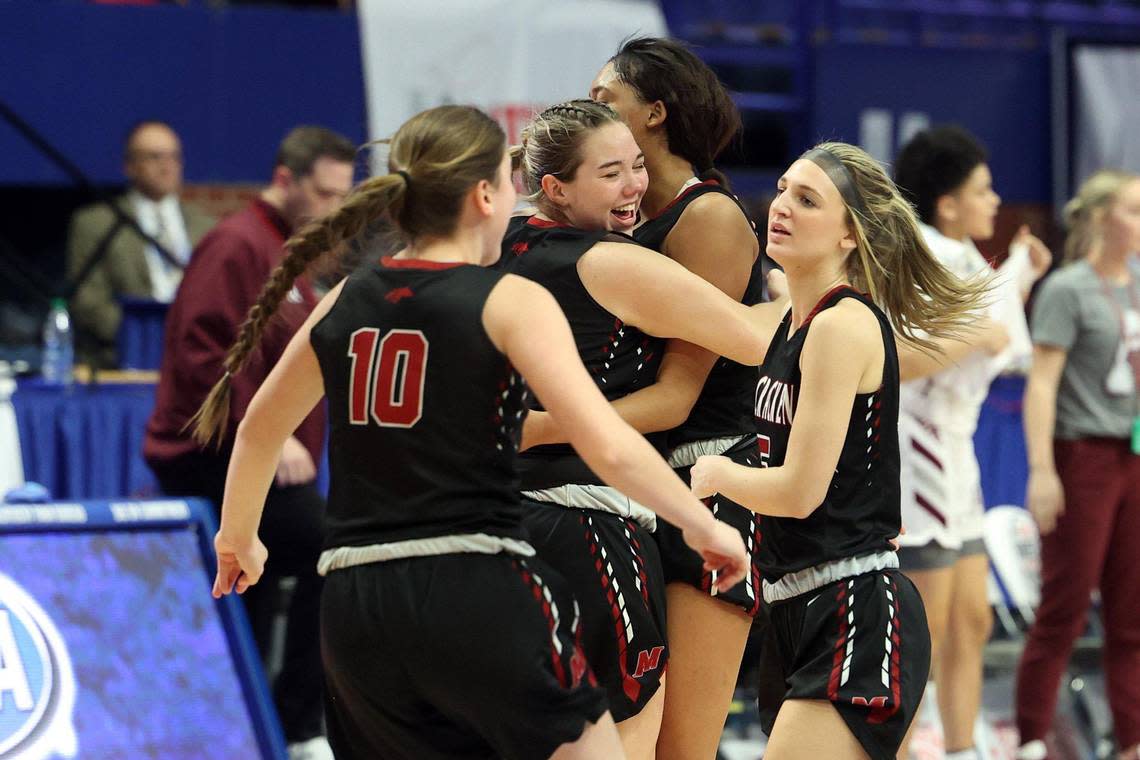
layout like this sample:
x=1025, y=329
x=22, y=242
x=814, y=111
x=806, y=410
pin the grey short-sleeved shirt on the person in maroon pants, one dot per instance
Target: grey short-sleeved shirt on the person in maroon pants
x=1073, y=313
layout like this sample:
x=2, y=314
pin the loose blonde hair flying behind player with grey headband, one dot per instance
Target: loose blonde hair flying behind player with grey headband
x=892, y=263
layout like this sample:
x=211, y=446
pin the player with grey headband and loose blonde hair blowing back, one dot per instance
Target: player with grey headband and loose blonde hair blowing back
x=849, y=650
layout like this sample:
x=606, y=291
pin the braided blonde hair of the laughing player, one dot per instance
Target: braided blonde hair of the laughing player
x=552, y=144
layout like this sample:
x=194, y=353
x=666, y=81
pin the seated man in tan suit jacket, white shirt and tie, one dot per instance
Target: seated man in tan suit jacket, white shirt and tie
x=132, y=266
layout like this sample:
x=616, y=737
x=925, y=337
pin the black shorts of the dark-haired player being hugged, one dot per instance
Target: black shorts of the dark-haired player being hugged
x=681, y=565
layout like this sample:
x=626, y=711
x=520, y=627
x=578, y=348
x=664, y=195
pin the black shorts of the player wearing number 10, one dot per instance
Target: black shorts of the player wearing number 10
x=461, y=656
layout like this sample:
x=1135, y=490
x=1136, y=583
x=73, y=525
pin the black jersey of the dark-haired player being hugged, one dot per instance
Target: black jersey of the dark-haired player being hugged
x=724, y=407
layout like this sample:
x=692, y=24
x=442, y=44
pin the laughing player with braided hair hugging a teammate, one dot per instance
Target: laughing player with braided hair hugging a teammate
x=588, y=177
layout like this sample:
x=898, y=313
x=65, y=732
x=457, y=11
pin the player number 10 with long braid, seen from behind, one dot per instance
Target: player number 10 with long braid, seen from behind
x=443, y=636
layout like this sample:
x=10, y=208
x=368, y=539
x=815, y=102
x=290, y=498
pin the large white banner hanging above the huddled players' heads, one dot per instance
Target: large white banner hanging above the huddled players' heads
x=508, y=58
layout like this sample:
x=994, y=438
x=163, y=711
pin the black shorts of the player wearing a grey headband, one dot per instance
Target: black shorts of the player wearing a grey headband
x=861, y=643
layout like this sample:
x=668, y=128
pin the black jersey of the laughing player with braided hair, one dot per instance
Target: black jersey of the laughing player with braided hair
x=622, y=359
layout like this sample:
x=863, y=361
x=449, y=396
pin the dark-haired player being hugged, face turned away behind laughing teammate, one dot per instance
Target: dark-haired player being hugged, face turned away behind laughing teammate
x=683, y=119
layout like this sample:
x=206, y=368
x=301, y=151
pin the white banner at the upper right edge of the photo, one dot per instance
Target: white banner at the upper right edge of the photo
x=1106, y=110
